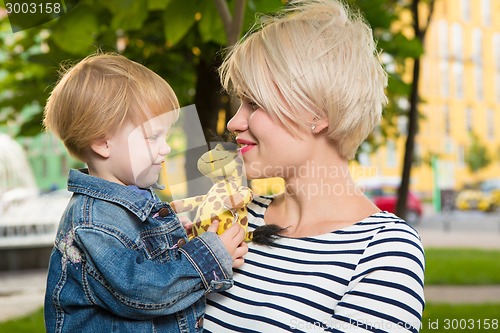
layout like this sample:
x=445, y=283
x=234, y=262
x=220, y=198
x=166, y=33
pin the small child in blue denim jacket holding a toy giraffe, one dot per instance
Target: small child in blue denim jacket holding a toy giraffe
x=121, y=262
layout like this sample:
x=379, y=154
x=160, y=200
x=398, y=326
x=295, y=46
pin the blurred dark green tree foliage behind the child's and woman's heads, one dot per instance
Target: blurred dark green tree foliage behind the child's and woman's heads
x=181, y=40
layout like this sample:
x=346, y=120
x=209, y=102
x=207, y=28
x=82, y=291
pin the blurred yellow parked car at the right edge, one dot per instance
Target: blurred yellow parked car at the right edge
x=484, y=196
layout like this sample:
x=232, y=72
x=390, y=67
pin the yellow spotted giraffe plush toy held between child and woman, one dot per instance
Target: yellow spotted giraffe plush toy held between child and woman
x=226, y=200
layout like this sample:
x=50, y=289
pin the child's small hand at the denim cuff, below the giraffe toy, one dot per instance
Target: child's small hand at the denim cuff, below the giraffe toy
x=233, y=241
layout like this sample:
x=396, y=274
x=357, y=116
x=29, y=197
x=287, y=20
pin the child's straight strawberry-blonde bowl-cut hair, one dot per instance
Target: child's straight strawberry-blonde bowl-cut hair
x=100, y=93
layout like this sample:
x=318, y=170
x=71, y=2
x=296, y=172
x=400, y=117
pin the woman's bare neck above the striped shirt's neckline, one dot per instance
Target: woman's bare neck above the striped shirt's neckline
x=319, y=203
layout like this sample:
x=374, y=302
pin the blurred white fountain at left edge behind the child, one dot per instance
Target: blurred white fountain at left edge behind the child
x=28, y=218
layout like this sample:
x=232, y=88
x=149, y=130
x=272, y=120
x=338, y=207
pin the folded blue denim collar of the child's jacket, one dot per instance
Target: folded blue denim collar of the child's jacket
x=79, y=181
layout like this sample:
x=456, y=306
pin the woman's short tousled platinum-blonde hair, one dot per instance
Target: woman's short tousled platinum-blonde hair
x=314, y=59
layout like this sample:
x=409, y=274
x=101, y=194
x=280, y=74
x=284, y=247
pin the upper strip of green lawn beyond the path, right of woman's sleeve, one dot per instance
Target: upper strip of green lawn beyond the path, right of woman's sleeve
x=462, y=266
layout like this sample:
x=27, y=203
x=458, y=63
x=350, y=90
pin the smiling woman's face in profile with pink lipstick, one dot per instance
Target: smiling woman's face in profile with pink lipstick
x=267, y=147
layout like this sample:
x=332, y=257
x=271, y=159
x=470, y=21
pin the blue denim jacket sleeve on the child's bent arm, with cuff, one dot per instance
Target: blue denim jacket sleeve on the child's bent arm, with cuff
x=120, y=279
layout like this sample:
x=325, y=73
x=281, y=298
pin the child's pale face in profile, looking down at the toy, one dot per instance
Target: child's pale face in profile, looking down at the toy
x=137, y=152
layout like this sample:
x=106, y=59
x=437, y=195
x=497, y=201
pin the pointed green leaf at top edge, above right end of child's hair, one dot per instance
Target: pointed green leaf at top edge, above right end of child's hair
x=178, y=18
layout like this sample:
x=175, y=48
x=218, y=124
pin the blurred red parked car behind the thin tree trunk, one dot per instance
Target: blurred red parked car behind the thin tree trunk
x=384, y=196
